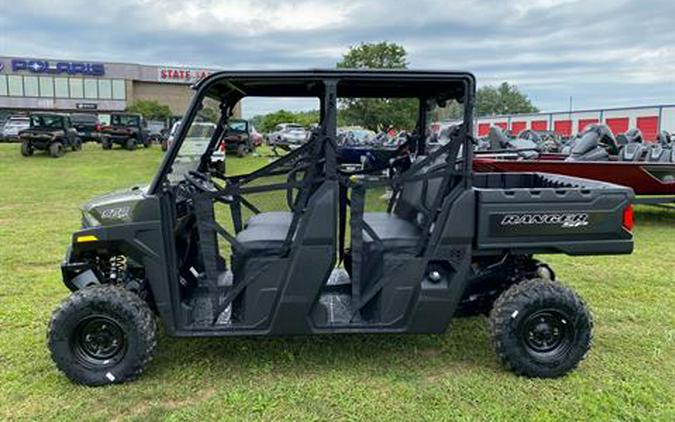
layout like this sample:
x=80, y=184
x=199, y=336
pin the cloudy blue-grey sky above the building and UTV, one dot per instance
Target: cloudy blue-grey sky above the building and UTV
x=601, y=53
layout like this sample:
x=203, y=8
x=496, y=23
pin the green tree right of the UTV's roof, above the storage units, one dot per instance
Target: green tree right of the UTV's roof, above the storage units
x=504, y=99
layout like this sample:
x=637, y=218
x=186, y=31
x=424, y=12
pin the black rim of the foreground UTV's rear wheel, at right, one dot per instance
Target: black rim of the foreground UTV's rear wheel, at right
x=547, y=333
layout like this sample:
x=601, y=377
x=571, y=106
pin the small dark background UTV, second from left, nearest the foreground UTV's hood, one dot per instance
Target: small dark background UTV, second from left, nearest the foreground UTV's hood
x=127, y=130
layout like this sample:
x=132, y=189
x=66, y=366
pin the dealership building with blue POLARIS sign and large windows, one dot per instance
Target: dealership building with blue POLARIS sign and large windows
x=30, y=84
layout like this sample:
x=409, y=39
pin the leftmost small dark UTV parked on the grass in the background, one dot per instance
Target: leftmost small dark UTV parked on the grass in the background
x=49, y=132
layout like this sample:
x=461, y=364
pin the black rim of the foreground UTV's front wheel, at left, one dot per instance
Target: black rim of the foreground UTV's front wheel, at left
x=99, y=340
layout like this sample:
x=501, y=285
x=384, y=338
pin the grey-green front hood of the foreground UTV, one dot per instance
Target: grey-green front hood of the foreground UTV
x=118, y=207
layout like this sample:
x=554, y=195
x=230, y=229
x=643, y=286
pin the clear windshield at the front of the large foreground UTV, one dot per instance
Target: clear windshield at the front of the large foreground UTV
x=195, y=144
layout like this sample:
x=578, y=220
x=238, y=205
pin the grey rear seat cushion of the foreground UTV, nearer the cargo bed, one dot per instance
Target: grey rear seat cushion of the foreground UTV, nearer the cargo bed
x=394, y=232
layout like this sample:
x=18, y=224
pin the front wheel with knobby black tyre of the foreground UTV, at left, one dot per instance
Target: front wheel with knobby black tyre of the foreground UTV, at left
x=102, y=335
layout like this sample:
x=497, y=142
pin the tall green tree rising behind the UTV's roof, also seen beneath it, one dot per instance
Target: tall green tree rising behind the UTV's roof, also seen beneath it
x=377, y=113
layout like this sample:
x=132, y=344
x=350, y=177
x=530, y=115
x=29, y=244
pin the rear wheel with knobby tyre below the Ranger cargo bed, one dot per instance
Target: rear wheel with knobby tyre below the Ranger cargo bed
x=540, y=328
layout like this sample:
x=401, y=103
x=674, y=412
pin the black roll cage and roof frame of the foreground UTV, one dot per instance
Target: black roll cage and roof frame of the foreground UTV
x=228, y=88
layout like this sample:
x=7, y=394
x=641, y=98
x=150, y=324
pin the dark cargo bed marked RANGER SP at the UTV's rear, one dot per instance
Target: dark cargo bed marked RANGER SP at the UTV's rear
x=546, y=213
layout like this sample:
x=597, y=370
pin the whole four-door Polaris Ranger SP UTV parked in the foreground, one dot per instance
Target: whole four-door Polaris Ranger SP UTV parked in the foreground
x=215, y=255
